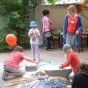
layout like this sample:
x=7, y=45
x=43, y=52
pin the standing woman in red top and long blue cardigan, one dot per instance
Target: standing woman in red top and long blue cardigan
x=72, y=28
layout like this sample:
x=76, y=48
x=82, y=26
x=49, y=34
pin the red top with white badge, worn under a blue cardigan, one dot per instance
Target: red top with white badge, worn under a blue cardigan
x=72, y=24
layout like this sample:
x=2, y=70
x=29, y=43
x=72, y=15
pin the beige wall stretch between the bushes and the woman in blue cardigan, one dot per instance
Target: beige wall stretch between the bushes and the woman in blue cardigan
x=56, y=15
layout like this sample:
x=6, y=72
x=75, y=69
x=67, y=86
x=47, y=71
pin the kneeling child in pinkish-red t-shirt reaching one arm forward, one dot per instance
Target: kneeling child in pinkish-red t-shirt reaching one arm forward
x=11, y=64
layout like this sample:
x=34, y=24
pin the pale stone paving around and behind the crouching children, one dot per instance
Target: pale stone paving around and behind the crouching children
x=55, y=55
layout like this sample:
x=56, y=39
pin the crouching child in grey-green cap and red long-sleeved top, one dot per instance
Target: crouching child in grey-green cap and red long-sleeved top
x=72, y=60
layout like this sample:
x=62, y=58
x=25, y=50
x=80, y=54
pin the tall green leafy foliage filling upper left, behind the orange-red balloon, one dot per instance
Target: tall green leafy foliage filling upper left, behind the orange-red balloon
x=15, y=14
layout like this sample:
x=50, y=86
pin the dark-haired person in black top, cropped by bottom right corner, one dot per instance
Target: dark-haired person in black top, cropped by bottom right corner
x=81, y=78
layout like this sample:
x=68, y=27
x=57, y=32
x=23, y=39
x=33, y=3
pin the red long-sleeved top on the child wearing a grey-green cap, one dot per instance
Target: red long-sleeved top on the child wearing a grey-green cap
x=72, y=60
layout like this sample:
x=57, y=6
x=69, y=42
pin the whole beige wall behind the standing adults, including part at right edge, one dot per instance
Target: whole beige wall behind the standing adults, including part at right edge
x=57, y=14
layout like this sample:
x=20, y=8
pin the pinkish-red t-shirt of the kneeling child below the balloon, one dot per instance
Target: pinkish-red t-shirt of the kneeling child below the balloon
x=14, y=59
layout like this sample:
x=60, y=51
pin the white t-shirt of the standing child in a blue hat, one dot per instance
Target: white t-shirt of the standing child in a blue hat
x=33, y=31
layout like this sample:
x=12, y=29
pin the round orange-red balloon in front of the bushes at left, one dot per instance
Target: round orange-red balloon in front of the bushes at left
x=11, y=39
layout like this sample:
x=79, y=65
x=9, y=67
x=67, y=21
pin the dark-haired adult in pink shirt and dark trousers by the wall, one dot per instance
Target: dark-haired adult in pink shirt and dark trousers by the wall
x=46, y=23
